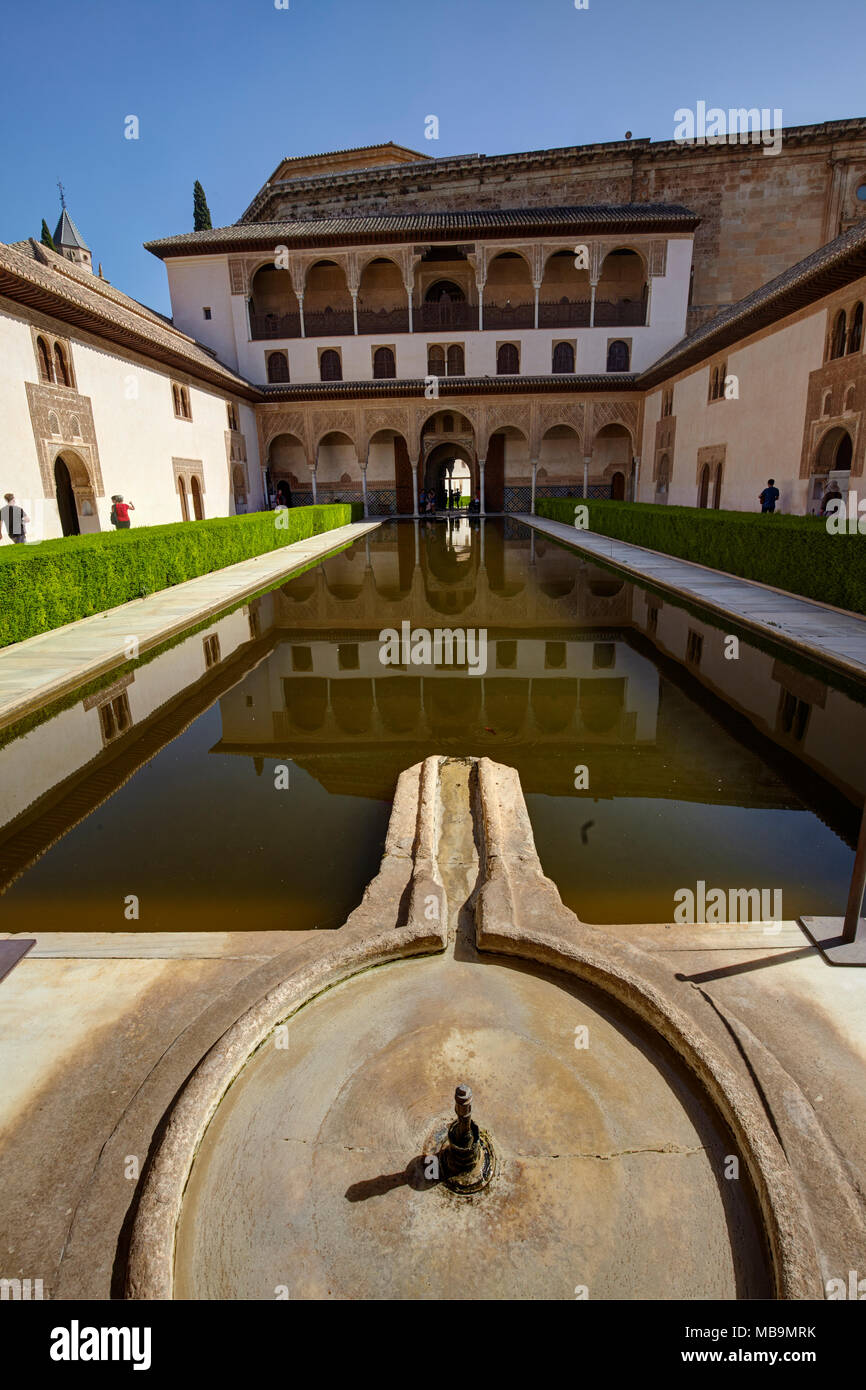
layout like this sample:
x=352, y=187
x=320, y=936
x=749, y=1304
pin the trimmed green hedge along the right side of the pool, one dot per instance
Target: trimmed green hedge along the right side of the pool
x=794, y=554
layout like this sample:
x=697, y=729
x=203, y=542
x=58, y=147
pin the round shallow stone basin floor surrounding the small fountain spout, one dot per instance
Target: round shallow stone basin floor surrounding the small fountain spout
x=313, y=1178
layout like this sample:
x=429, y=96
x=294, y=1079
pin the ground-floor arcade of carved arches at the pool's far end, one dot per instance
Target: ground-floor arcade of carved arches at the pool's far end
x=386, y=457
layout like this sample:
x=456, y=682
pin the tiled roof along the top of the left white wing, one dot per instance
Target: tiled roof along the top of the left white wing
x=49, y=283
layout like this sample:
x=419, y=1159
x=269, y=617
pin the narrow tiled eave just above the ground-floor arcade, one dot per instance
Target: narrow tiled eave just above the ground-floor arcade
x=452, y=387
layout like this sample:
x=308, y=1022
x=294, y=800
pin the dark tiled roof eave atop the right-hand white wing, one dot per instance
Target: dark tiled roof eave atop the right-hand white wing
x=828, y=269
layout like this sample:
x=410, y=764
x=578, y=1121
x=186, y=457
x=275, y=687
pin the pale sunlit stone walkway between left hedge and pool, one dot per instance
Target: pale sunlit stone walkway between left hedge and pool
x=47, y=667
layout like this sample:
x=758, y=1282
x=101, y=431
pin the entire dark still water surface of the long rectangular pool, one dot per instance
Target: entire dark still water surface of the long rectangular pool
x=243, y=778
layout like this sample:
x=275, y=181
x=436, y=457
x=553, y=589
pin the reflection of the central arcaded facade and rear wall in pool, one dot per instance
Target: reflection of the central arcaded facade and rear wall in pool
x=562, y=675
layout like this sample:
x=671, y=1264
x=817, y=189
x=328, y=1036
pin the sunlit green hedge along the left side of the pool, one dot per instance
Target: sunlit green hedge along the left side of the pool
x=60, y=582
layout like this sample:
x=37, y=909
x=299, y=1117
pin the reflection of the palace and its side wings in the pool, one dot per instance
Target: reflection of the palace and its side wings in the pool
x=582, y=669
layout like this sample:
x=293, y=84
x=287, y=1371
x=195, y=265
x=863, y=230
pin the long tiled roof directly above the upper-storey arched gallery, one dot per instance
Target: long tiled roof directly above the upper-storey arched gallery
x=512, y=222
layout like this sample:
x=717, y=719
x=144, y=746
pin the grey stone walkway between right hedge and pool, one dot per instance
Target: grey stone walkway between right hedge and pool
x=815, y=629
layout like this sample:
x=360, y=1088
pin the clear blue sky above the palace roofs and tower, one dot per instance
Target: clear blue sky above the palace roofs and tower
x=226, y=88
